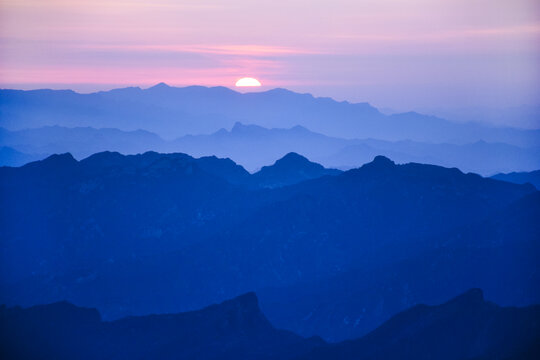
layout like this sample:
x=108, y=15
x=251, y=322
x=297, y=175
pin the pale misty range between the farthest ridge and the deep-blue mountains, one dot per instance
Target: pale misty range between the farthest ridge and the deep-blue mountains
x=254, y=146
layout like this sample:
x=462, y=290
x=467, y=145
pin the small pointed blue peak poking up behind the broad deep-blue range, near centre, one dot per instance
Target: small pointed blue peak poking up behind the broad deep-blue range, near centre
x=291, y=169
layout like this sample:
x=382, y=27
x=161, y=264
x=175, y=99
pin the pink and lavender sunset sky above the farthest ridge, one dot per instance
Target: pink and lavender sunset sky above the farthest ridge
x=397, y=54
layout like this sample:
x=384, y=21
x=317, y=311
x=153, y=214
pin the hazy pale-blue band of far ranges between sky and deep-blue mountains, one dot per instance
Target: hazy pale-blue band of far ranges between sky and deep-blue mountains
x=263, y=127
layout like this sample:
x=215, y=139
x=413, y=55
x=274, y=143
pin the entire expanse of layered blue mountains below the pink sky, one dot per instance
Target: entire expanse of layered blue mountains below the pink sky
x=133, y=202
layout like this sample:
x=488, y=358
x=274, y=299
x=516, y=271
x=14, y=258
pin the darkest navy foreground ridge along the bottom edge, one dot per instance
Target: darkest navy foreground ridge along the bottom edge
x=466, y=327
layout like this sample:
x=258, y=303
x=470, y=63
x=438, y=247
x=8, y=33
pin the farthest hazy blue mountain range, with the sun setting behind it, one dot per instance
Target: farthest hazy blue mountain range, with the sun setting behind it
x=171, y=112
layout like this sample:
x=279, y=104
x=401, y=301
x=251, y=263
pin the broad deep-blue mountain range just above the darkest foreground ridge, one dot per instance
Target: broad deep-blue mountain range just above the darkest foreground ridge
x=122, y=233
